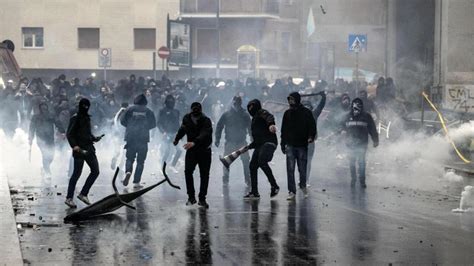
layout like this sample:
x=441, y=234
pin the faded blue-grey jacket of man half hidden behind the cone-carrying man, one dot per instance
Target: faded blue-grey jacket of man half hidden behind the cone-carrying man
x=237, y=125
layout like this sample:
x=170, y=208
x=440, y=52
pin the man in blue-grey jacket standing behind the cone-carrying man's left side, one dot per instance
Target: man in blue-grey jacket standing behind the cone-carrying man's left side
x=236, y=122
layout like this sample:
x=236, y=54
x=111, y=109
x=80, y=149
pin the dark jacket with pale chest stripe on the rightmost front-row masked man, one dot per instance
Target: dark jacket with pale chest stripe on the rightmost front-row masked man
x=359, y=128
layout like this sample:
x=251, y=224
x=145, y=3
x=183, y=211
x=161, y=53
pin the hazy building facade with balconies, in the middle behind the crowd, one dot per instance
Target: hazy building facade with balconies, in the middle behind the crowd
x=220, y=27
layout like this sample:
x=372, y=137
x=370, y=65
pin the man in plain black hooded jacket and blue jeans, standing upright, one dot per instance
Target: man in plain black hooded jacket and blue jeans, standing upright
x=298, y=129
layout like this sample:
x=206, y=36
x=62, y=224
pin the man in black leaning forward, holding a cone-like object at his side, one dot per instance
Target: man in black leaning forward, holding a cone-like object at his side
x=265, y=143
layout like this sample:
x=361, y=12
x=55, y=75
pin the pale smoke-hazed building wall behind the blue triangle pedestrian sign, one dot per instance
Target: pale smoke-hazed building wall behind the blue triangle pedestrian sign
x=350, y=17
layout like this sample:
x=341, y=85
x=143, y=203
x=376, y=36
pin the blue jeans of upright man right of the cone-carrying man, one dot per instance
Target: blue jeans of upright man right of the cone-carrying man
x=296, y=155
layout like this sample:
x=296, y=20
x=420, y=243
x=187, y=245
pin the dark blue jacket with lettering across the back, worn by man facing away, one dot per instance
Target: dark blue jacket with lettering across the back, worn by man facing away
x=138, y=121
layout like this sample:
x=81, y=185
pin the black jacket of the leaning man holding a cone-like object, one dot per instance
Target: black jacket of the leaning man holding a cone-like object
x=260, y=129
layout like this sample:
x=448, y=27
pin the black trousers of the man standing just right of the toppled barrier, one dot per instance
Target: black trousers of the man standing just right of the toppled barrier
x=201, y=158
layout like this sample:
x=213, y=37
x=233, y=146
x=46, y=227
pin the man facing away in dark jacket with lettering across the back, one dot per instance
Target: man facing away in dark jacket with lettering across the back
x=138, y=121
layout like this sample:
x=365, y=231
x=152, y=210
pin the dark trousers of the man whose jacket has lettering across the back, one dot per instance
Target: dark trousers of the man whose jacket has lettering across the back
x=136, y=151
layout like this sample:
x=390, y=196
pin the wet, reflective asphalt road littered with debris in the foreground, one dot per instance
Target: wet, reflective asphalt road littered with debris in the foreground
x=384, y=224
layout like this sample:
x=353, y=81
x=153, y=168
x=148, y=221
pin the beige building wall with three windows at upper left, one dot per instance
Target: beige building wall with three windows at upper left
x=60, y=20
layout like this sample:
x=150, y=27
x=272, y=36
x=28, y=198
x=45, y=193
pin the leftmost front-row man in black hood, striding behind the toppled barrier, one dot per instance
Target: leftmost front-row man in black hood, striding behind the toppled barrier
x=81, y=140
